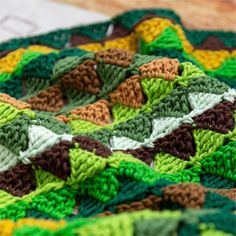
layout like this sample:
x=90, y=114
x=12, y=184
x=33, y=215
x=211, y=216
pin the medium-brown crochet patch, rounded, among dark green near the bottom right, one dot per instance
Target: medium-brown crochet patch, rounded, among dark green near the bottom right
x=188, y=195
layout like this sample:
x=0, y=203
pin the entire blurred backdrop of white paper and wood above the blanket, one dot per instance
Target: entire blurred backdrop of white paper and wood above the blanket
x=19, y=18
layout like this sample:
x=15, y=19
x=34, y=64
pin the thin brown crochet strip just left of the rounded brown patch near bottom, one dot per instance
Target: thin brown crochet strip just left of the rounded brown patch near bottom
x=151, y=202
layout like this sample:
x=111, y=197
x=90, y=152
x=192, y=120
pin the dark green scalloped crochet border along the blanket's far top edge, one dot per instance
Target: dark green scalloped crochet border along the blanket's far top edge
x=60, y=38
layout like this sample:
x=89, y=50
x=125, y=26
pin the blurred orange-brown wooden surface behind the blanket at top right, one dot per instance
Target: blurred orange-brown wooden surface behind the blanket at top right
x=196, y=14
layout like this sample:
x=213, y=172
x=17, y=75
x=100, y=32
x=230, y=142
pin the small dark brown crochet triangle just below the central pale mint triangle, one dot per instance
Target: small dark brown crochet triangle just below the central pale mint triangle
x=144, y=154
